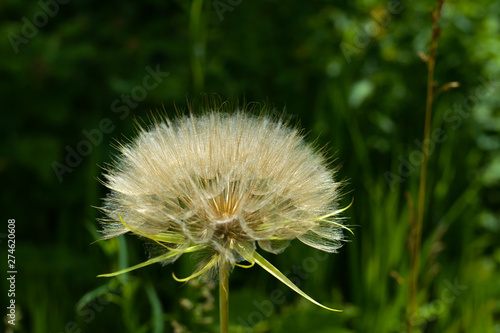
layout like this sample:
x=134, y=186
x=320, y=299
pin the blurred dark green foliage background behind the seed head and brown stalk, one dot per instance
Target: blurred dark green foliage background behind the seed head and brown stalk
x=75, y=74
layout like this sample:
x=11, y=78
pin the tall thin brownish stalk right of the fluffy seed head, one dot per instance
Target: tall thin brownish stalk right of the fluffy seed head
x=416, y=244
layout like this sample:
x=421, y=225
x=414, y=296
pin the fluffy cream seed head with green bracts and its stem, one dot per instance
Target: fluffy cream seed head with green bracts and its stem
x=221, y=183
